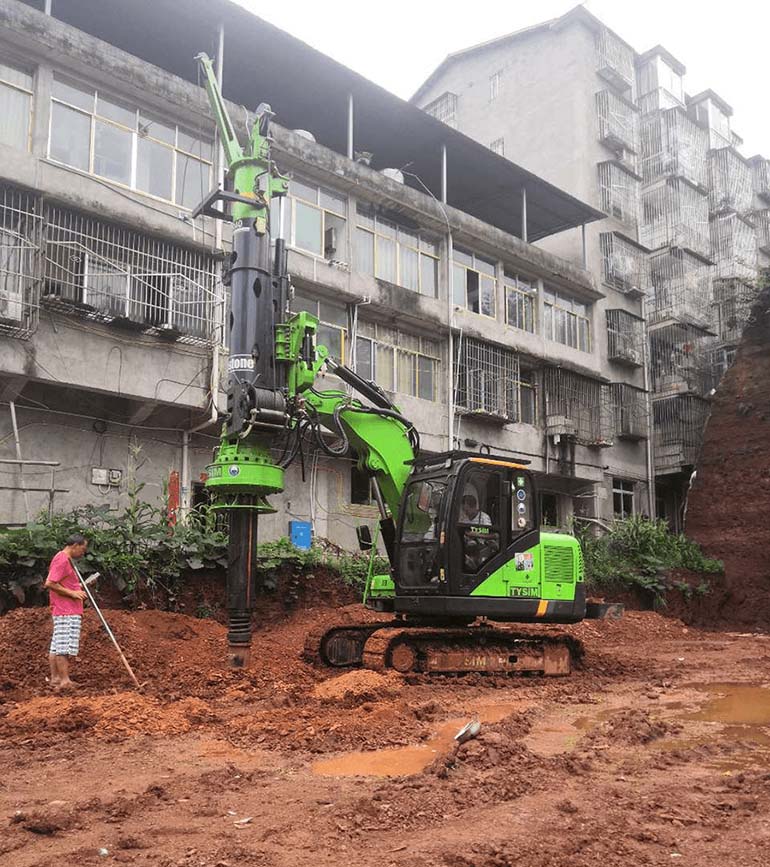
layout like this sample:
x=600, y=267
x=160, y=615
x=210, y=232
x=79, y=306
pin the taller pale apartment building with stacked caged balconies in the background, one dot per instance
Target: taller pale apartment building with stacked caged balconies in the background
x=685, y=211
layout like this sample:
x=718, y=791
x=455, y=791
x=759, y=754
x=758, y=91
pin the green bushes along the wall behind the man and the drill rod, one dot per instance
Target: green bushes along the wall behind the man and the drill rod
x=137, y=549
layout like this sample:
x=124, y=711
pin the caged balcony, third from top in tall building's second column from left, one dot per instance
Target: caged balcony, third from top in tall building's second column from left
x=675, y=214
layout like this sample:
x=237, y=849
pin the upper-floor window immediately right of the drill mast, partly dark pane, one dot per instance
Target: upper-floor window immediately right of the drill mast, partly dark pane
x=318, y=219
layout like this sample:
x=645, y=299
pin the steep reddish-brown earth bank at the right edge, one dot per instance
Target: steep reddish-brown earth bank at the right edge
x=728, y=509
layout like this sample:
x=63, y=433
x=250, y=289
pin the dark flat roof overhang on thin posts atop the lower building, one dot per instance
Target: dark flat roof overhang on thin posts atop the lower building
x=309, y=90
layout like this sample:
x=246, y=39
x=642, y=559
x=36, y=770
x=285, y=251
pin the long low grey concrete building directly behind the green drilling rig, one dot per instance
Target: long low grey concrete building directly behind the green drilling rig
x=411, y=241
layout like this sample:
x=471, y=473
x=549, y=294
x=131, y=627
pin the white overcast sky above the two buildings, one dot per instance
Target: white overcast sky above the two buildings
x=398, y=44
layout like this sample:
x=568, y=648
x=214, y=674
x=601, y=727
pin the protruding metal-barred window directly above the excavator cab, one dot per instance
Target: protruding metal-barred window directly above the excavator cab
x=492, y=383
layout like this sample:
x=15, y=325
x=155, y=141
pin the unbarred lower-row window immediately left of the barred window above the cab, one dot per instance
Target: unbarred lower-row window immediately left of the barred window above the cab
x=398, y=361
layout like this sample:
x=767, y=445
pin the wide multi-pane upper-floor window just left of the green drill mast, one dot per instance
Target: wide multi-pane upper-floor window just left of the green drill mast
x=136, y=149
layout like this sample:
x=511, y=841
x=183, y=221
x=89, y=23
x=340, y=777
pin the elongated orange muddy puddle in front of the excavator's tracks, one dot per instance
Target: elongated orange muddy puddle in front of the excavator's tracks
x=404, y=761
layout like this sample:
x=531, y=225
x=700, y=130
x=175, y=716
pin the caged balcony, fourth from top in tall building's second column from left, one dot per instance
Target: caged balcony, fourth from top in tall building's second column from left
x=681, y=289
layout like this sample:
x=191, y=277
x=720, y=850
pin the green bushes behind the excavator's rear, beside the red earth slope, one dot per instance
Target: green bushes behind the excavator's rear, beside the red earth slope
x=638, y=553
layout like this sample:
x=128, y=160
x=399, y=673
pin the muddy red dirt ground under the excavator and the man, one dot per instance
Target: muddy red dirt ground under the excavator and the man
x=206, y=767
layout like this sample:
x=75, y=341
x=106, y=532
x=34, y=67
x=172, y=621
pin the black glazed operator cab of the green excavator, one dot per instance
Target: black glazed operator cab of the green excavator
x=463, y=516
